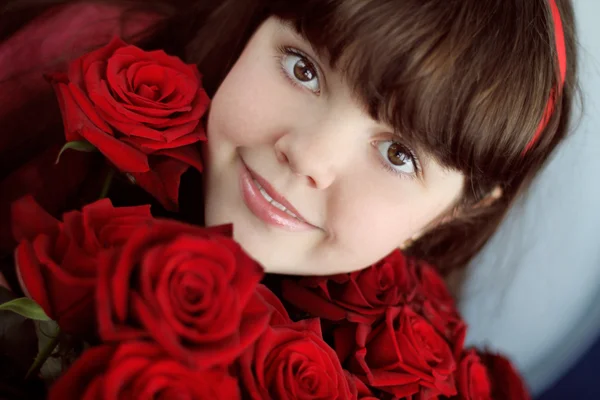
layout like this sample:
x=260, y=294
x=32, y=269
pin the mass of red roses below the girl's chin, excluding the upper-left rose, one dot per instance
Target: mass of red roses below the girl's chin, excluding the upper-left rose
x=173, y=310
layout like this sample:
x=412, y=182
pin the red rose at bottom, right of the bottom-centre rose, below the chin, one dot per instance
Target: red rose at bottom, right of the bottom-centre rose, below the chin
x=402, y=355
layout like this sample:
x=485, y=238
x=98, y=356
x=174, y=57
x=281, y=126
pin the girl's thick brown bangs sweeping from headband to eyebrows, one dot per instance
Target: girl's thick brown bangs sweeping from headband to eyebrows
x=454, y=79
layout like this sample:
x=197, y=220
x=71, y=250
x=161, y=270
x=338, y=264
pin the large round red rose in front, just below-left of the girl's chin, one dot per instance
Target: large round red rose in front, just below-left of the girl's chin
x=189, y=288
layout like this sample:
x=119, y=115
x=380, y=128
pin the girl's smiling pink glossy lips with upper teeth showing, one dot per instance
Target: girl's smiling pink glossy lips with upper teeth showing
x=267, y=204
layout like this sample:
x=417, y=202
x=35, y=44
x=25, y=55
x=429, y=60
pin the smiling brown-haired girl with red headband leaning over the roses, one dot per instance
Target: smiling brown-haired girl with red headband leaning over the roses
x=338, y=130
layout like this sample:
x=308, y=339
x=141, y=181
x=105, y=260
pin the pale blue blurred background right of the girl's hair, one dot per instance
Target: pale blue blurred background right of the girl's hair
x=534, y=292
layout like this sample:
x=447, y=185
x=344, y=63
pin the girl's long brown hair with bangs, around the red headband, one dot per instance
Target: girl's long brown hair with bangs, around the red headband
x=467, y=81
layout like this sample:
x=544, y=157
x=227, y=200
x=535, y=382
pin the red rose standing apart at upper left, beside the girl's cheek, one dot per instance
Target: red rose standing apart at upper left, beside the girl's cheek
x=140, y=109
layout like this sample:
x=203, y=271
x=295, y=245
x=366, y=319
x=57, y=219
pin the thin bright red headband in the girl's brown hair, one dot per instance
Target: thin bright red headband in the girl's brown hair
x=559, y=38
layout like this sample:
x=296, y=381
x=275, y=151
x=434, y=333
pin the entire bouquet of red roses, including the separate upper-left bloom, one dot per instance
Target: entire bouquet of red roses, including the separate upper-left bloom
x=151, y=308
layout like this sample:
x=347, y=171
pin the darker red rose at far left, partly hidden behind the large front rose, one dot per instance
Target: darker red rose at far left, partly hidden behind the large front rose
x=57, y=261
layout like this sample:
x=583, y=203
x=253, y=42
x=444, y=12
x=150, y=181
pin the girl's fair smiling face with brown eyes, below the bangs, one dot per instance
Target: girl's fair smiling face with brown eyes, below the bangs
x=312, y=183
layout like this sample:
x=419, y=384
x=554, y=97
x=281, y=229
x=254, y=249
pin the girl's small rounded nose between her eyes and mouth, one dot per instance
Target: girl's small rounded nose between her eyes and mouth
x=316, y=155
